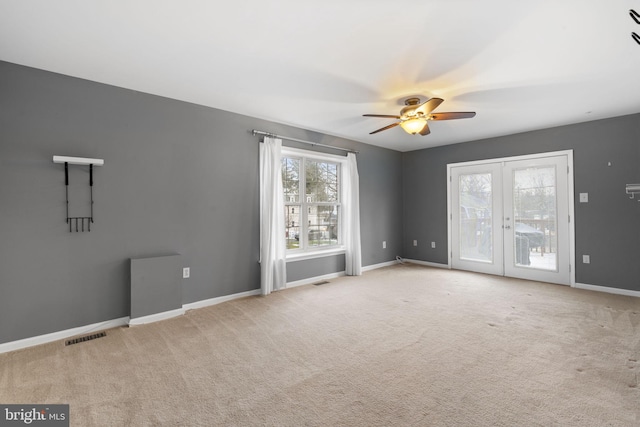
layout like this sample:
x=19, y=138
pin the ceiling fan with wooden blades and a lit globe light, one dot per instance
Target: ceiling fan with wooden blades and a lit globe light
x=414, y=117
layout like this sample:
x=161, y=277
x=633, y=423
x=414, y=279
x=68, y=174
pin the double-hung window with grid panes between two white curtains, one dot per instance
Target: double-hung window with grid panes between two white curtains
x=312, y=198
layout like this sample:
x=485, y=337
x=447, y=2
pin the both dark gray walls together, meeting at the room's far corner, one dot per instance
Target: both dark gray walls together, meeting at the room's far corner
x=182, y=178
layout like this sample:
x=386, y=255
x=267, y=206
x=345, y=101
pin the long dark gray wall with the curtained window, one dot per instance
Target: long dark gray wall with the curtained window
x=178, y=178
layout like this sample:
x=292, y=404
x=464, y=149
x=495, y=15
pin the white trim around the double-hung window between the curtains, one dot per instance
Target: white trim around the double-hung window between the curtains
x=317, y=252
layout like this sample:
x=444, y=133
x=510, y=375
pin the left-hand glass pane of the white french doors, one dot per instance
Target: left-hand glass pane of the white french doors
x=475, y=217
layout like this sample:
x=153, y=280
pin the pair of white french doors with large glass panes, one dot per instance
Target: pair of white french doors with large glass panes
x=512, y=217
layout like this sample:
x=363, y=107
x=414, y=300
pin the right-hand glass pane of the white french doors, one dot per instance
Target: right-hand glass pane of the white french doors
x=534, y=214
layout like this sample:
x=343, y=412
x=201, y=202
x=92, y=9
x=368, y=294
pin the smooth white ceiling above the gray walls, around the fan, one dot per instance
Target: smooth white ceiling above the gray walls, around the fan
x=321, y=65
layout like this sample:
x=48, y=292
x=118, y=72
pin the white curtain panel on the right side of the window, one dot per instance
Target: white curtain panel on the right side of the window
x=351, y=186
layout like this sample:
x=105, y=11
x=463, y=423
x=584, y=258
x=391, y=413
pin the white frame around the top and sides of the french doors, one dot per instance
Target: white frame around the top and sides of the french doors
x=570, y=193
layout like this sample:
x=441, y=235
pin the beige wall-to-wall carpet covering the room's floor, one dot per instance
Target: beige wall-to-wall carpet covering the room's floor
x=400, y=346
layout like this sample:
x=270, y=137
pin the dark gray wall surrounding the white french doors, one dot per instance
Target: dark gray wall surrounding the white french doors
x=607, y=228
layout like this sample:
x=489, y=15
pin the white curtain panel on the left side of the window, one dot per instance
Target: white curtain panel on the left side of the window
x=273, y=267
